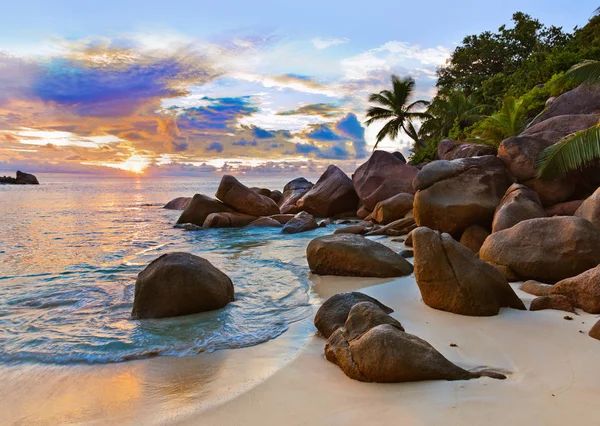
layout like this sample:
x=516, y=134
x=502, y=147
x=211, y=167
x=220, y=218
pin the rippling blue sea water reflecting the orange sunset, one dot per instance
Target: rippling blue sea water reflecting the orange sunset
x=70, y=251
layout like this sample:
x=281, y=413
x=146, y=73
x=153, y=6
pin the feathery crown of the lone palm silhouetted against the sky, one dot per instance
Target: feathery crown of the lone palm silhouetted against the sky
x=394, y=106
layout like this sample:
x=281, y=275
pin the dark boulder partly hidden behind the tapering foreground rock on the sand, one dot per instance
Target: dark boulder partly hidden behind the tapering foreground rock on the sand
x=333, y=313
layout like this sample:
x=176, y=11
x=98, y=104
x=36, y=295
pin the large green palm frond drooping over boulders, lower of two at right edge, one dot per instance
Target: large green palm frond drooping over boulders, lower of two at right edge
x=572, y=153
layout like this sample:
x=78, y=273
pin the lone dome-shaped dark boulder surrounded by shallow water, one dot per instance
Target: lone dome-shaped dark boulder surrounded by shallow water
x=178, y=284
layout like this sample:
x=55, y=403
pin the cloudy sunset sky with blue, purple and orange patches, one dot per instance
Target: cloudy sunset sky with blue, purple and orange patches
x=192, y=87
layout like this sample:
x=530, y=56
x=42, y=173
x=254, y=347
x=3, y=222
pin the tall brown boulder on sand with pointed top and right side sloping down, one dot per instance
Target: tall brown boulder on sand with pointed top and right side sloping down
x=451, y=278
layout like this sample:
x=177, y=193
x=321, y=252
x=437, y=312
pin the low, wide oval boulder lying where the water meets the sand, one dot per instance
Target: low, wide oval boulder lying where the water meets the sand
x=354, y=256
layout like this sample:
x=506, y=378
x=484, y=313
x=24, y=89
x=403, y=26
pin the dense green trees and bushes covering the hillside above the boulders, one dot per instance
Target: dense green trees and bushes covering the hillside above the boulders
x=495, y=83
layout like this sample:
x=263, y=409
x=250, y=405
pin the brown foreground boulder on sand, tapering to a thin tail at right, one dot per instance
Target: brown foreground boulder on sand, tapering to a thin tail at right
x=373, y=347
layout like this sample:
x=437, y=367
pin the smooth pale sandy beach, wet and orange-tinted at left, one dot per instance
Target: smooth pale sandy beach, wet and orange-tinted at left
x=551, y=365
